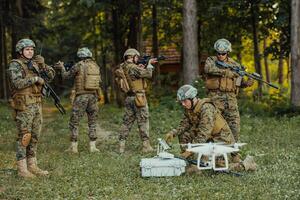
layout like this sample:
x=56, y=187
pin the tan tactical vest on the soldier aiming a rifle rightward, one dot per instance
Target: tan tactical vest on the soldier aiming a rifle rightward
x=138, y=85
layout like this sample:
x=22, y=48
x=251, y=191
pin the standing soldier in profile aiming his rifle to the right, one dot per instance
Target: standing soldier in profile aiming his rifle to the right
x=136, y=106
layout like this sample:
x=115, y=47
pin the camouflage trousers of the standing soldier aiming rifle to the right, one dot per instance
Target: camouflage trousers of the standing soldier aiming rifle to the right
x=132, y=113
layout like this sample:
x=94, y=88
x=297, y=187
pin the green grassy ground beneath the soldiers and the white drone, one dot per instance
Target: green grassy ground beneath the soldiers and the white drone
x=107, y=175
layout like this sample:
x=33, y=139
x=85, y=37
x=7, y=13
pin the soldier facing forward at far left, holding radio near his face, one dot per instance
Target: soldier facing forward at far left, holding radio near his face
x=26, y=100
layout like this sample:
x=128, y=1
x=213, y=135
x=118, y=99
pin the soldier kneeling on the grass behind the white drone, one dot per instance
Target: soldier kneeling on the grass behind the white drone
x=202, y=122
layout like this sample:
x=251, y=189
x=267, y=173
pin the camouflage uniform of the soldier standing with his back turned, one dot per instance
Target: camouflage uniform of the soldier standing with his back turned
x=85, y=100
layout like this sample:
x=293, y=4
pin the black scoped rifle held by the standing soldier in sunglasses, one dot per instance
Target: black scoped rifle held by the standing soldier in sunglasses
x=241, y=71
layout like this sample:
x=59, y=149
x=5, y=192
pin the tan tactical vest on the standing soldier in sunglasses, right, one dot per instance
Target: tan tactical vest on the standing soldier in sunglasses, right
x=223, y=83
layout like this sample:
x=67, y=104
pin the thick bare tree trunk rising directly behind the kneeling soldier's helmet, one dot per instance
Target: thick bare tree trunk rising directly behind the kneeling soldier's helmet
x=190, y=43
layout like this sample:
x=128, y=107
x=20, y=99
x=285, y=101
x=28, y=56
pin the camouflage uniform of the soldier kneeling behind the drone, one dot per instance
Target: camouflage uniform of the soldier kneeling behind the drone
x=202, y=124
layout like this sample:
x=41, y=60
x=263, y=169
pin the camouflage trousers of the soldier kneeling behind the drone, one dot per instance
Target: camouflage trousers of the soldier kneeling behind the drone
x=225, y=136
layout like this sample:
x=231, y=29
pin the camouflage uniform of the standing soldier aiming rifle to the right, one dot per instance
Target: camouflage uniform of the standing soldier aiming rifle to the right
x=136, y=74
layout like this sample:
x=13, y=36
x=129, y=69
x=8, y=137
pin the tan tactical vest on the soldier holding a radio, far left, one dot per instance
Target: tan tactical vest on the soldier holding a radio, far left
x=21, y=98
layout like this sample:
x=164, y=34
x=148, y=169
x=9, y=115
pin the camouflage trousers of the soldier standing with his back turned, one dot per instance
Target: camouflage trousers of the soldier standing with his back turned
x=84, y=103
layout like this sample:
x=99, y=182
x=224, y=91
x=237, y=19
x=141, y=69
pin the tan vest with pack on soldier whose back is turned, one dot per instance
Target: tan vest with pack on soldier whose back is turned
x=88, y=77
